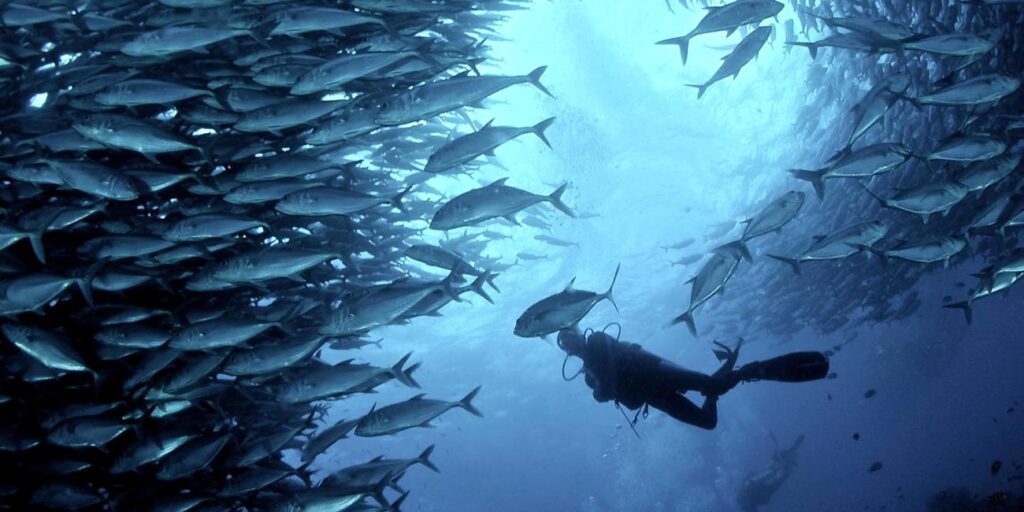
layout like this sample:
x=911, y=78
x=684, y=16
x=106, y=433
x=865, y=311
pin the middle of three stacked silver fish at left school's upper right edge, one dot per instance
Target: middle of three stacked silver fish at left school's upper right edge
x=484, y=142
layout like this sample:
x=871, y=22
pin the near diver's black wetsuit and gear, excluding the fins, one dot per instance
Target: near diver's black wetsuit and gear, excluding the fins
x=628, y=374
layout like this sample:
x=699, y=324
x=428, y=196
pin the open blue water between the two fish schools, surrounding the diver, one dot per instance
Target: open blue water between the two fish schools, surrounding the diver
x=655, y=165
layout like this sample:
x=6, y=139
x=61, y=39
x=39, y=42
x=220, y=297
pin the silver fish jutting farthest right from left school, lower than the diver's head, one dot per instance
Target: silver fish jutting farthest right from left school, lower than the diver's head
x=416, y=412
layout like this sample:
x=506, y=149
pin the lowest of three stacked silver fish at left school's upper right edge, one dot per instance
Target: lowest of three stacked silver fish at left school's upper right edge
x=494, y=201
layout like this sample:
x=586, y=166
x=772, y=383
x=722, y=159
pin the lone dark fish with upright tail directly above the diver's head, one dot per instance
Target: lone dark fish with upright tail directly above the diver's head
x=562, y=311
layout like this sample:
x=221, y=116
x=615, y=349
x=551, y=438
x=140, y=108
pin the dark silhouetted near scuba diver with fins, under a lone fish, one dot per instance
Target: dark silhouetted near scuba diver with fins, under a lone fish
x=632, y=377
